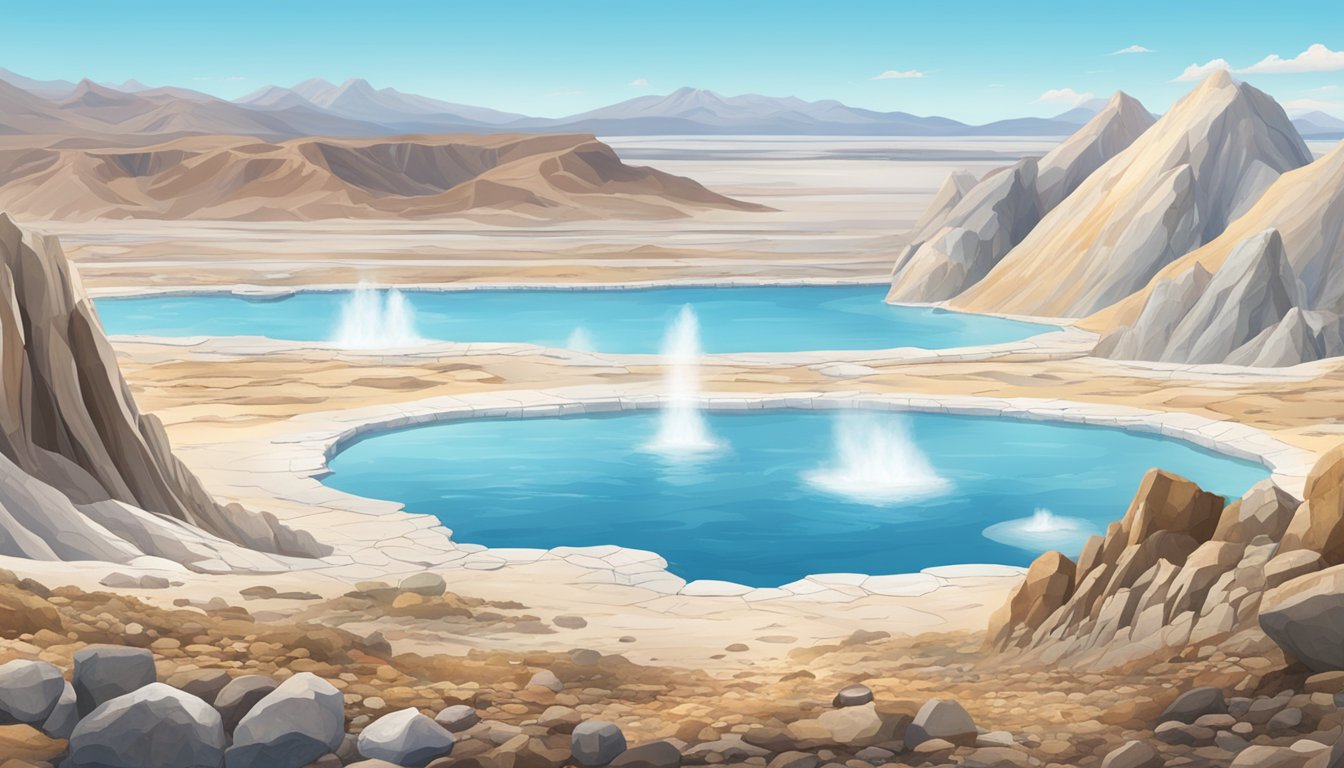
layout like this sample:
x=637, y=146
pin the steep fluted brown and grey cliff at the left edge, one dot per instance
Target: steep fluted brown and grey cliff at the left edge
x=84, y=475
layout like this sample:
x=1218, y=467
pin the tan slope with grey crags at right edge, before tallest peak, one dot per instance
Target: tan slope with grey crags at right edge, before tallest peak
x=1268, y=293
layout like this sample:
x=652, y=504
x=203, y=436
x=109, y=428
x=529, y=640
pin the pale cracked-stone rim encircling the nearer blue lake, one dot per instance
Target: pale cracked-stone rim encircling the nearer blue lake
x=304, y=453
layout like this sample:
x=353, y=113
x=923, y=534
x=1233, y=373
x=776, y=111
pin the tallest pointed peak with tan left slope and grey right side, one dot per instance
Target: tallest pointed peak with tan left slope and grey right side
x=1171, y=192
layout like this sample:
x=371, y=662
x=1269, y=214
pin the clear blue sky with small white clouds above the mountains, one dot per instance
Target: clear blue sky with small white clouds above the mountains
x=975, y=61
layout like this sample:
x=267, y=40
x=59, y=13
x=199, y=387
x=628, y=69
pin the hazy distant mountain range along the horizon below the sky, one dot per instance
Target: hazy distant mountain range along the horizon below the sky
x=355, y=108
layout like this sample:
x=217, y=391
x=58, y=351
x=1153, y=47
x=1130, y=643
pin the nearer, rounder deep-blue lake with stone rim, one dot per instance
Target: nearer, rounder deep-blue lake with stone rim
x=782, y=494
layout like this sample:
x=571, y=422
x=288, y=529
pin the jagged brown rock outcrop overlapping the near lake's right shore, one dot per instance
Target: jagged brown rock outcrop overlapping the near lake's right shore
x=1181, y=572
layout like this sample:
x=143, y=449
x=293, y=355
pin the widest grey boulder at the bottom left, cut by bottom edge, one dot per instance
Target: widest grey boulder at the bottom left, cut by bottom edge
x=154, y=727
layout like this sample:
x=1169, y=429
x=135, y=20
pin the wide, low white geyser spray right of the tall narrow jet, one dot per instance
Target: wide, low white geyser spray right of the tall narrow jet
x=877, y=462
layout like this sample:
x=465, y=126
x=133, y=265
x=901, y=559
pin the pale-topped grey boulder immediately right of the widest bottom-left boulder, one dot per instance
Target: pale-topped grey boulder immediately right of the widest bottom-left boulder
x=291, y=727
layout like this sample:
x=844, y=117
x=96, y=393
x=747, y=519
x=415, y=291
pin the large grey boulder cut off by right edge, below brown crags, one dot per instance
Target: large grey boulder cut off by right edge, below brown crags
x=1306, y=618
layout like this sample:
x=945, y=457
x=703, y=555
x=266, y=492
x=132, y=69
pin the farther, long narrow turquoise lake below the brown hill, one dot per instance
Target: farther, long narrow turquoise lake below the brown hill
x=757, y=319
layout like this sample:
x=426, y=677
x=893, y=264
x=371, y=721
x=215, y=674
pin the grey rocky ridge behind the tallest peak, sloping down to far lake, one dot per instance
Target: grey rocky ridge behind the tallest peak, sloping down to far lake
x=967, y=231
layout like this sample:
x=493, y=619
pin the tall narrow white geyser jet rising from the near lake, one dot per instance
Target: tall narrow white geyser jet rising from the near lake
x=682, y=428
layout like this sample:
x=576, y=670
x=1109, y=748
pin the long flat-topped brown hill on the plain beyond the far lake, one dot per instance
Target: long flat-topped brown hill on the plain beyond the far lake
x=518, y=177
